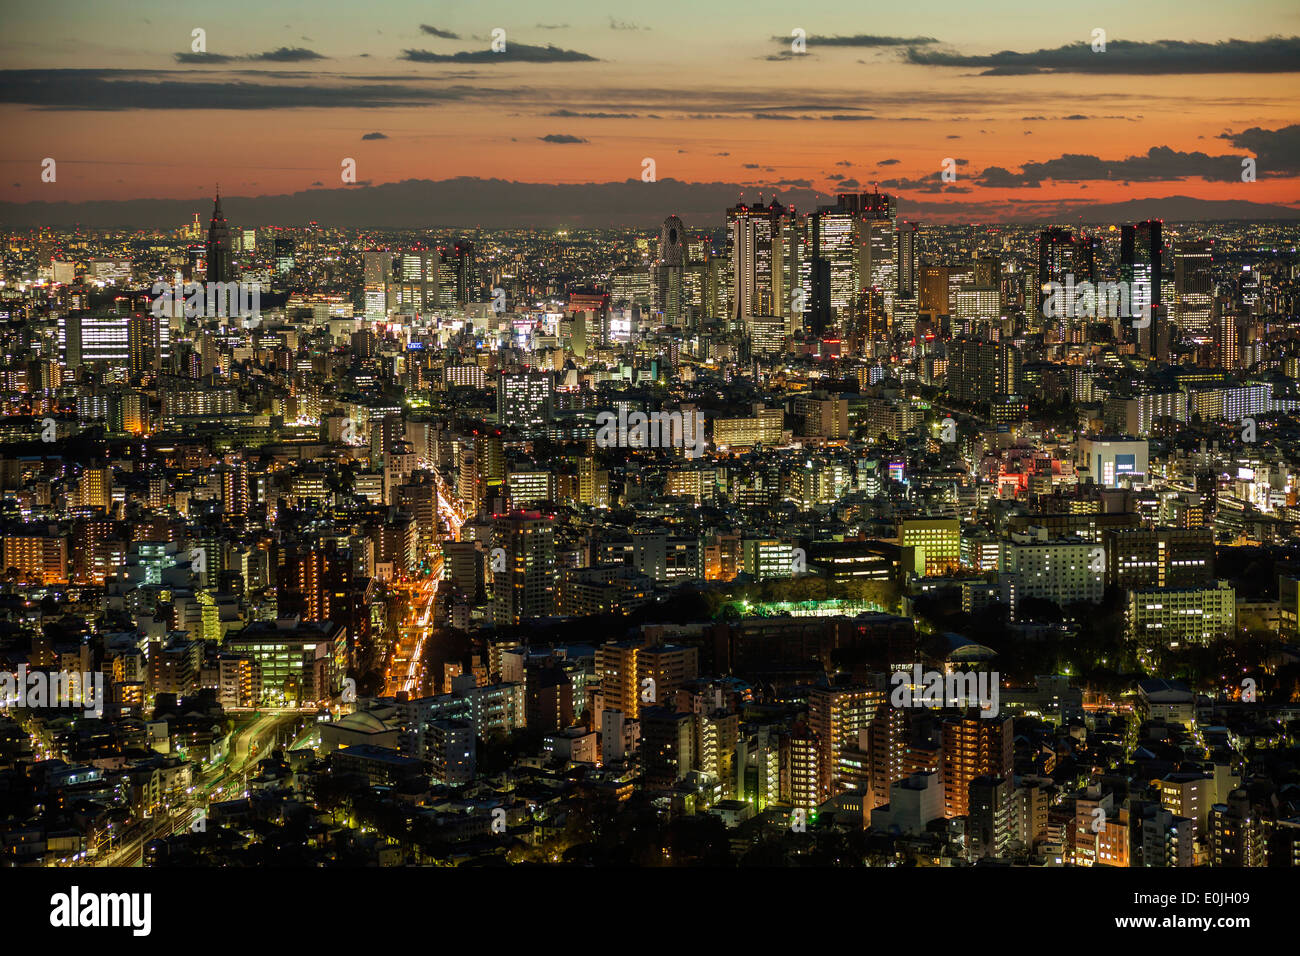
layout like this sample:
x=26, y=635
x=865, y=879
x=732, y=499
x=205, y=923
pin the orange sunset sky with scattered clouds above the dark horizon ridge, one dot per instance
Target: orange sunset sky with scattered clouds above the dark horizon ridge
x=713, y=92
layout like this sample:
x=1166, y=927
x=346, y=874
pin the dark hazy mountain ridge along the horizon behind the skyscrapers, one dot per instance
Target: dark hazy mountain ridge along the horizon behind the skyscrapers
x=467, y=202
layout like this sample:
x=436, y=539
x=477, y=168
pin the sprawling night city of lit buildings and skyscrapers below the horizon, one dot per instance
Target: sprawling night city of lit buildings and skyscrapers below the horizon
x=794, y=538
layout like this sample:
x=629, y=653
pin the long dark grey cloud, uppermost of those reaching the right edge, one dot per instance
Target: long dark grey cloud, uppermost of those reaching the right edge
x=1273, y=55
